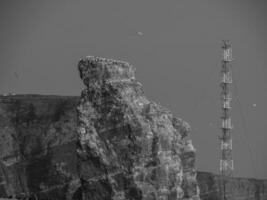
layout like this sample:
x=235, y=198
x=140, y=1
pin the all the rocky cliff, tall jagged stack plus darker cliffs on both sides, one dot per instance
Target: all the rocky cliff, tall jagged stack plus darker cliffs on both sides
x=109, y=143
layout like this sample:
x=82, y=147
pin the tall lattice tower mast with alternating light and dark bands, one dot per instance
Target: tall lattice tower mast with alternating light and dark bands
x=226, y=162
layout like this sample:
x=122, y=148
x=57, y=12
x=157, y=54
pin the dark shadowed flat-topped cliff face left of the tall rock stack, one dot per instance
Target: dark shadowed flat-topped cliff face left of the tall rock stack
x=37, y=146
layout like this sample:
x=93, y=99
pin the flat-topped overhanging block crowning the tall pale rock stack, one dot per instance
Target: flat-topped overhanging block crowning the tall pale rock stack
x=98, y=69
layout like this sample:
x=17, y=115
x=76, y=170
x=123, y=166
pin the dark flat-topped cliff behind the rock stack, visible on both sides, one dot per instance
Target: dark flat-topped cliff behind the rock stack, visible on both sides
x=59, y=112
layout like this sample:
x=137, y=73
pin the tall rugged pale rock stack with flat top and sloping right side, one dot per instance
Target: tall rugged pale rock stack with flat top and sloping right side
x=129, y=147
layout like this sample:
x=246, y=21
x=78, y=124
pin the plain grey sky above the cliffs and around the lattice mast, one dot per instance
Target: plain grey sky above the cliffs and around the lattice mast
x=176, y=49
